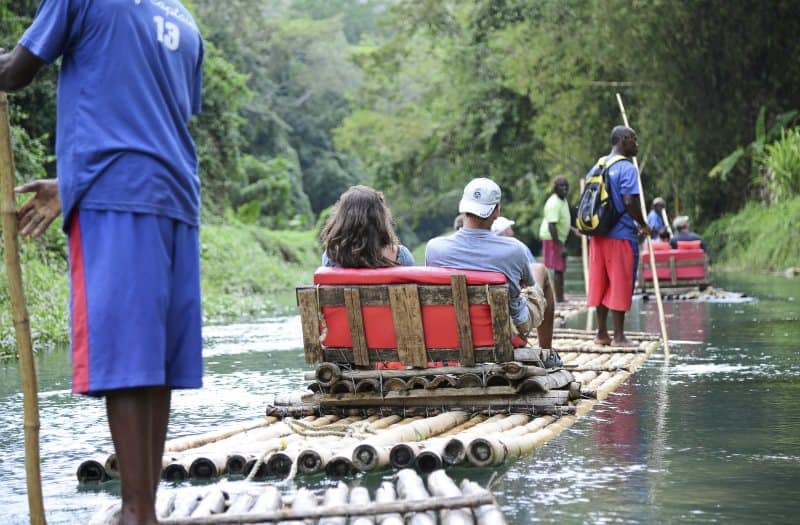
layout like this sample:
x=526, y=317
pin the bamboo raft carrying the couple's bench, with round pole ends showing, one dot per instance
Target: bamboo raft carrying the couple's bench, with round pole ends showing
x=482, y=415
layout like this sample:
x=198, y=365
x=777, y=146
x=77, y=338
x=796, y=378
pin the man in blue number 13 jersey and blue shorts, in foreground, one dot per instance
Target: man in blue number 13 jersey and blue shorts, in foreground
x=130, y=79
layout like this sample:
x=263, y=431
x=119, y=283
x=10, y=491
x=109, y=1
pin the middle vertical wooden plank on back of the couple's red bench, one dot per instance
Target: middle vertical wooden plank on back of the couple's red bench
x=407, y=318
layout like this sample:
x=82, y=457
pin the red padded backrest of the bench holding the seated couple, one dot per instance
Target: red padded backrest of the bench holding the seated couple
x=438, y=321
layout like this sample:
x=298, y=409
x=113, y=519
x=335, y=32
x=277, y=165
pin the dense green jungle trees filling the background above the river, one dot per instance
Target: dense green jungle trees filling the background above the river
x=304, y=98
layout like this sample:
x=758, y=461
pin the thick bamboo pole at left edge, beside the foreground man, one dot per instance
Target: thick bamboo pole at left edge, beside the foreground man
x=22, y=328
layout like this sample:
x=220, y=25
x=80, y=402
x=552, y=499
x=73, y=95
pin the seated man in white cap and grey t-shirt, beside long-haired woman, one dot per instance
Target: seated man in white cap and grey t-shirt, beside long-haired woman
x=476, y=247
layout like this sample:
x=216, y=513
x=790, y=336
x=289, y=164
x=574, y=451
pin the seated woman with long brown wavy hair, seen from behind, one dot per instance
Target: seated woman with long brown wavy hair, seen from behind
x=359, y=233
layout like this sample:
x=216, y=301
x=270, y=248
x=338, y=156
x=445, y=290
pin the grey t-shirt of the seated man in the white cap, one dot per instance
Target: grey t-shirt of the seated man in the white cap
x=475, y=249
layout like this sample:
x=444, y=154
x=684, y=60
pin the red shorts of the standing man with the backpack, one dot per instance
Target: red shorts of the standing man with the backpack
x=611, y=273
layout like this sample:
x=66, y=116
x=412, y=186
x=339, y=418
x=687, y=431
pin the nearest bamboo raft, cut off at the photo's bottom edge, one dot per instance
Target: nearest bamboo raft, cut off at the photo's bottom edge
x=406, y=499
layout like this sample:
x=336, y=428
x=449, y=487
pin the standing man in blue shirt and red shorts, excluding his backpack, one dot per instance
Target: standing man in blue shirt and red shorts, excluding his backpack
x=613, y=258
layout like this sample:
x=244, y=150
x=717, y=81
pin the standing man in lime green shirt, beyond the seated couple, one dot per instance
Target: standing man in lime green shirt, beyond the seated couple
x=553, y=233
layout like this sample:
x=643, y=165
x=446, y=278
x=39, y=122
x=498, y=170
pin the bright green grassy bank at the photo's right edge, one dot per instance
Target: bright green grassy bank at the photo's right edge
x=757, y=238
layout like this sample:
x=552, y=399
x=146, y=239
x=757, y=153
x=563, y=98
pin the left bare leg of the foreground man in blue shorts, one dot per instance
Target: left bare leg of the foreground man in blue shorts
x=130, y=418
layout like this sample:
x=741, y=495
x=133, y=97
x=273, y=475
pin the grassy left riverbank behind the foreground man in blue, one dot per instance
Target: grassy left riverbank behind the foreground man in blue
x=247, y=272
